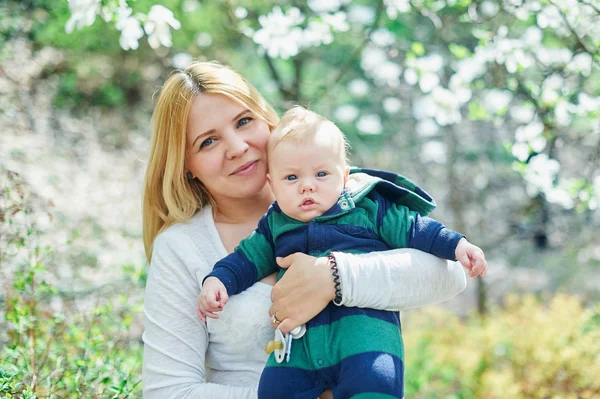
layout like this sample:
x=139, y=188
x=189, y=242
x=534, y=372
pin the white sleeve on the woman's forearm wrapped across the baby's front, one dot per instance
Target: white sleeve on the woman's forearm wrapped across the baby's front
x=398, y=279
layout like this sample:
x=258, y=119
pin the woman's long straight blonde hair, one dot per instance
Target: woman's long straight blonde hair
x=169, y=196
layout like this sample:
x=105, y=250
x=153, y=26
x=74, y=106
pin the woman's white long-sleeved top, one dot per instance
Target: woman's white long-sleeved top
x=185, y=358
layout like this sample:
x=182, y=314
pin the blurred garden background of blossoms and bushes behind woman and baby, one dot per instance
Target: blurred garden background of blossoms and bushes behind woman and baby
x=492, y=106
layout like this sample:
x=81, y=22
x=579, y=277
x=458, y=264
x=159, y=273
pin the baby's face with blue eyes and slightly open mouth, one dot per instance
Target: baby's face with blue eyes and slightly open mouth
x=307, y=179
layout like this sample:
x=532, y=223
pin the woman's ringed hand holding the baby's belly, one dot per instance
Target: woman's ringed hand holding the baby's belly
x=305, y=290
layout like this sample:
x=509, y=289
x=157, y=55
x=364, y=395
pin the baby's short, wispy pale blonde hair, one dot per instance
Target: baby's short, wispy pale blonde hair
x=301, y=125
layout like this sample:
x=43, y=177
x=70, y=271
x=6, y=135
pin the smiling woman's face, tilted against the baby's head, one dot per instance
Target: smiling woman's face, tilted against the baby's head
x=226, y=147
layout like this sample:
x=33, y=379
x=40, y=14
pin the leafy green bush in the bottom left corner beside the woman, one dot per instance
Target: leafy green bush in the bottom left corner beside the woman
x=49, y=354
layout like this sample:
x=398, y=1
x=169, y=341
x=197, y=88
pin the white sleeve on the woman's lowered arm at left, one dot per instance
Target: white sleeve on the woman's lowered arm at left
x=175, y=340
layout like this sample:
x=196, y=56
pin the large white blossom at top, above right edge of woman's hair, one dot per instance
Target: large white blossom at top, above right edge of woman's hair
x=280, y=34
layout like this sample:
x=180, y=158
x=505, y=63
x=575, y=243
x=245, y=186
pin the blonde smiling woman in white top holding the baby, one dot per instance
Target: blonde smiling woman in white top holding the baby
x=205, y=190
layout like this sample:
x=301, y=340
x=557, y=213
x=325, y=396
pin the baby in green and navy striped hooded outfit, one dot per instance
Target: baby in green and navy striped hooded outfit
x=323, y=206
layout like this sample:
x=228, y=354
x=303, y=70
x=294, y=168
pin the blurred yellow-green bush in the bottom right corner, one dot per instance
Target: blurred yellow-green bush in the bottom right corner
x=527, y=350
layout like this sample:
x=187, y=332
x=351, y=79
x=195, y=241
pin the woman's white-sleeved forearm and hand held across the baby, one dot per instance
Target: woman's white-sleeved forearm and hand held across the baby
x=391, y=280
